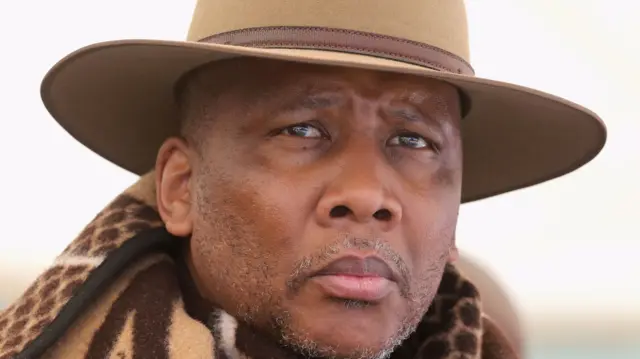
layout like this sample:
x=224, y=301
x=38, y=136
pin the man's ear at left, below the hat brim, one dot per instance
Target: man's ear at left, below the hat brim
x=173, y=195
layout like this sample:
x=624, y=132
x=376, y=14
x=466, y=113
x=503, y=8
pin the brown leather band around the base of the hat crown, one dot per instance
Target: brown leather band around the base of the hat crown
x=350, y=41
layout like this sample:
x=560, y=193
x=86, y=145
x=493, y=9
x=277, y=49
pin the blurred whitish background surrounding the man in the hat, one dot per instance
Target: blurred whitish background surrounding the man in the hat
x=566, y=251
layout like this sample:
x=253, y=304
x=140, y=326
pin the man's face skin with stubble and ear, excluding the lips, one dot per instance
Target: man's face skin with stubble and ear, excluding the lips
x=285, y=167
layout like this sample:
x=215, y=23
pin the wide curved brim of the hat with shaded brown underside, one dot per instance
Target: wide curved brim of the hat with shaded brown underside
x=117, y=99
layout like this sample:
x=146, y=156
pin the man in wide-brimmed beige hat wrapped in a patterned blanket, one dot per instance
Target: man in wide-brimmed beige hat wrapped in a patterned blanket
x=302, y=171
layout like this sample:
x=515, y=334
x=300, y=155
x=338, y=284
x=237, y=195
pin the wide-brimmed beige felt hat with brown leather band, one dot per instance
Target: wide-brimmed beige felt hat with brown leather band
x=117, y=97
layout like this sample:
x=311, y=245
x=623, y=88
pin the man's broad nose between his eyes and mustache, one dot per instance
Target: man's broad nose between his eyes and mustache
x=360, y=193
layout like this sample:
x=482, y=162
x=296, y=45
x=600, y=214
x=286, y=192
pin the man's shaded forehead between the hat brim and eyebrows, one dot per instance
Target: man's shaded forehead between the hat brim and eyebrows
x=261, y=80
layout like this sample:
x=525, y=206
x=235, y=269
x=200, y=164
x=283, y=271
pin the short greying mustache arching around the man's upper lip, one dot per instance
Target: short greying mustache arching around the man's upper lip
x=307, y=266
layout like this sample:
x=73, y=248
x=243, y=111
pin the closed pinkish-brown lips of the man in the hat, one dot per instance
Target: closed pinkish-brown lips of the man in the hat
x=367, y=279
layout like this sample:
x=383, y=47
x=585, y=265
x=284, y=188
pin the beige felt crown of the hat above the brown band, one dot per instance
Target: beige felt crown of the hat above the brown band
x=438, y=23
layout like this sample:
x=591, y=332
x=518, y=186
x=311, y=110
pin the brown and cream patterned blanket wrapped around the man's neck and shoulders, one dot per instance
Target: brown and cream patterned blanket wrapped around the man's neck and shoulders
x=115, y=293
